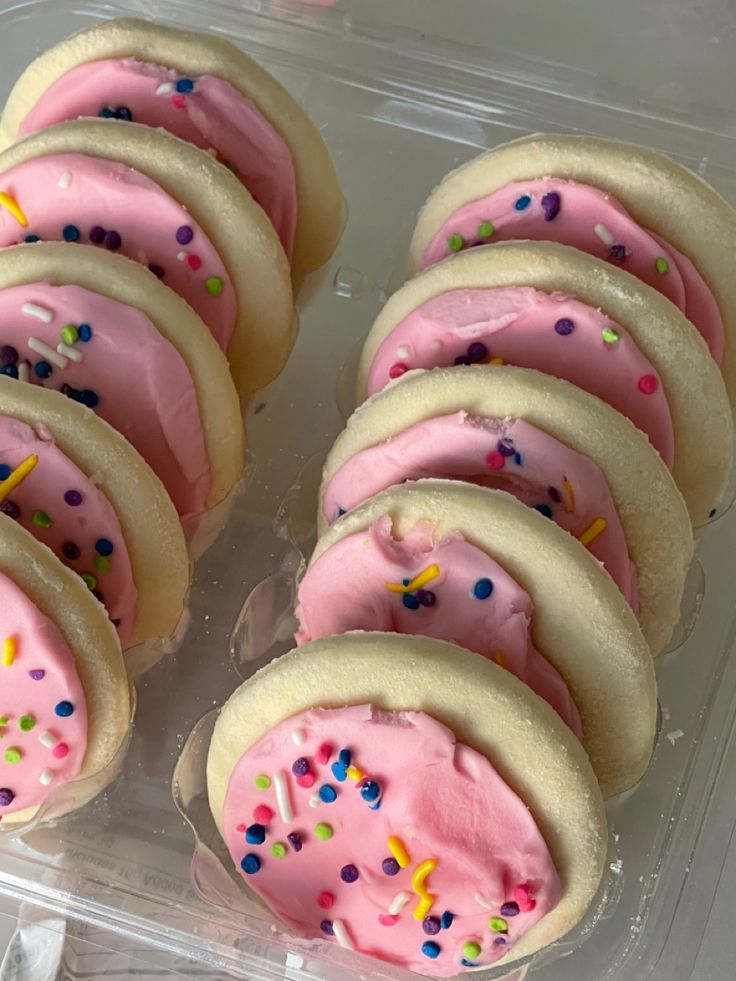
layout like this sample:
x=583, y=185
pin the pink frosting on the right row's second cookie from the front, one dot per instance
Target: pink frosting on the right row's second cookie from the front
x=469, y=600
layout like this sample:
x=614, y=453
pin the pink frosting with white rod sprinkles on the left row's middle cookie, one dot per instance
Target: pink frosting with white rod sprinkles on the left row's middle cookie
x=142, y=384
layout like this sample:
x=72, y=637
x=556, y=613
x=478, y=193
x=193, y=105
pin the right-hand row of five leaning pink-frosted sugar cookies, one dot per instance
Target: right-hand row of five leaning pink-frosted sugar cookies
x=506, y=525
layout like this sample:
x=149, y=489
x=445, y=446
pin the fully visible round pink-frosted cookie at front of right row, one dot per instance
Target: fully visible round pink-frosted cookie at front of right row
x=426, y=682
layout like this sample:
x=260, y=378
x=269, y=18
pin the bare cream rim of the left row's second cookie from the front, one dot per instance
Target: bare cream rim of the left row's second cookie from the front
x=147, y=519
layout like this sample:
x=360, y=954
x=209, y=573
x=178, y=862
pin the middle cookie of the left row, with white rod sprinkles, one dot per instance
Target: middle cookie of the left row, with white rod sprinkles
x=133, y=322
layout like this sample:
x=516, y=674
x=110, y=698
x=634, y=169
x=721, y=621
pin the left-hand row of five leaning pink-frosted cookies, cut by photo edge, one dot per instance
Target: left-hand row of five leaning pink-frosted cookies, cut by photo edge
x=161, y=197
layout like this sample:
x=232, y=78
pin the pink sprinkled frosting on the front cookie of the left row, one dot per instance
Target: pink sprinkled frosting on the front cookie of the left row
x=43, y=712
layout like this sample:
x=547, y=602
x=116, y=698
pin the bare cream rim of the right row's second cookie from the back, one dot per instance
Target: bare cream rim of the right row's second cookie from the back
x=701, y=419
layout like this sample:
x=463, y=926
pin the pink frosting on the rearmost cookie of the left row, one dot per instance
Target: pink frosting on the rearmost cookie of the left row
x=213, y=115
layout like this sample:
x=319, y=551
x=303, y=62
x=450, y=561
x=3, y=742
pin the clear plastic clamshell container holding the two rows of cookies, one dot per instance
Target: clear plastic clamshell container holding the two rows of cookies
x=398, y=111
